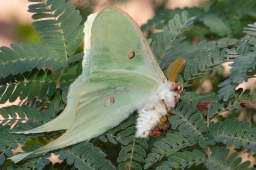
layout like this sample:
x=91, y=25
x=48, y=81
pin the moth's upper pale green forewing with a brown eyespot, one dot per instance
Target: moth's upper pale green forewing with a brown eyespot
x=119, y=45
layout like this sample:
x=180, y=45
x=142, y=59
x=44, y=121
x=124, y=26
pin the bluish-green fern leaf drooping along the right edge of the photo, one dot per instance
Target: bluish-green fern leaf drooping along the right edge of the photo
x=243, y=66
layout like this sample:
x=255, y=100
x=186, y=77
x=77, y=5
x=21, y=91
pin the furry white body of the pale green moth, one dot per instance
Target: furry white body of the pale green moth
x=159, y=104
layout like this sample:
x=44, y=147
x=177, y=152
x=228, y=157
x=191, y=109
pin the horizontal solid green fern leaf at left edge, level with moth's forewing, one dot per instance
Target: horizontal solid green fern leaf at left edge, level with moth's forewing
x=29, y=56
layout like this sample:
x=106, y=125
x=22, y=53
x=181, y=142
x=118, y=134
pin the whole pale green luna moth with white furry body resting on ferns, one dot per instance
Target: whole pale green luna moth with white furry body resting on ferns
x=120, y=75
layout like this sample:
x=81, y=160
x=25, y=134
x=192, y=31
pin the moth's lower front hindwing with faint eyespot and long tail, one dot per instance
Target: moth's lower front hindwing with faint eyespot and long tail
x=100, y=107
